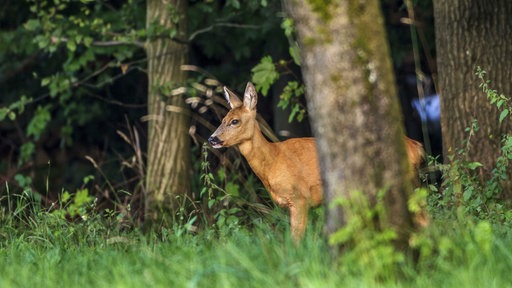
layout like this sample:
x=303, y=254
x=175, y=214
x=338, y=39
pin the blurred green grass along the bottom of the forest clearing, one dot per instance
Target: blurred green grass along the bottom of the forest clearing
x=46, y=251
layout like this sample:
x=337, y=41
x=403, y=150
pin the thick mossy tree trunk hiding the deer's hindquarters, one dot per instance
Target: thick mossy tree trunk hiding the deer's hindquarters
x=353, y=105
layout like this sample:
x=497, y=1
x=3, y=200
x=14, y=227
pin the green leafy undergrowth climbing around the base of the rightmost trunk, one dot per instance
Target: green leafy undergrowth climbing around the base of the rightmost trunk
x=463, y=185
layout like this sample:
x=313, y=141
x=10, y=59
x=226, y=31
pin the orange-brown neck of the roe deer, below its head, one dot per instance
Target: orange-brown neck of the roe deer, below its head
x=259, y=153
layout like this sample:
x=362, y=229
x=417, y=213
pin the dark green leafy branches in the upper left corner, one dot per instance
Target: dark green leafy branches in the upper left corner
x=71, y=49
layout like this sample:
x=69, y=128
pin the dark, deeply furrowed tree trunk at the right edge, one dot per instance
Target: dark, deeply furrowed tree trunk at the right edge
x=471, y=33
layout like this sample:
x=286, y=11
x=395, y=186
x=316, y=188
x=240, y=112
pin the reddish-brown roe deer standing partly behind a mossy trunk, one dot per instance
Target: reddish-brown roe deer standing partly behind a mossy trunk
x=289, y=169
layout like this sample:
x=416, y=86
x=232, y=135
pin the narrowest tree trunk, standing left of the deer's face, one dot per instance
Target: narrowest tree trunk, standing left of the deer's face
x=168, y=162
